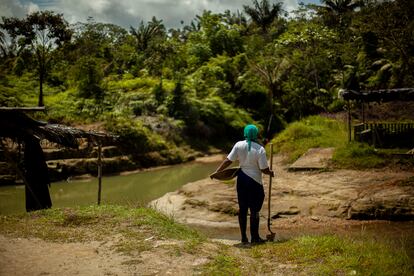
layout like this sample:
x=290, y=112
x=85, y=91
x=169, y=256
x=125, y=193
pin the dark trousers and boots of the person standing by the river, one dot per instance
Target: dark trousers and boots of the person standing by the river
x=250, y=195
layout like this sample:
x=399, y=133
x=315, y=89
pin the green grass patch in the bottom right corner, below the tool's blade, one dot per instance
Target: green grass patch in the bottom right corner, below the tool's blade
x=333, y=255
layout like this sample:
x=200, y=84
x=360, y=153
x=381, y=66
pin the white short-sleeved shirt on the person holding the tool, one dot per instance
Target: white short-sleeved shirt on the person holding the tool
x=251, y=162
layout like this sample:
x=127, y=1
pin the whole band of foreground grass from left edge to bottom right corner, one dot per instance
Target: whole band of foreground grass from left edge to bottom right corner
x=141, y=229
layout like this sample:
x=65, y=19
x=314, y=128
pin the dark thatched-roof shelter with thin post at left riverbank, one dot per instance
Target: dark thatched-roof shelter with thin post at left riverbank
x=15, y=124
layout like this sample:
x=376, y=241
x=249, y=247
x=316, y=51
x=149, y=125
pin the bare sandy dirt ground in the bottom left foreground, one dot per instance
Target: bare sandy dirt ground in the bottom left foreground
x=22, y=256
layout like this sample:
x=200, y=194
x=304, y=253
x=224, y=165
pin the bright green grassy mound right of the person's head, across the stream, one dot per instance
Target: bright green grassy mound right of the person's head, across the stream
x=311, y=132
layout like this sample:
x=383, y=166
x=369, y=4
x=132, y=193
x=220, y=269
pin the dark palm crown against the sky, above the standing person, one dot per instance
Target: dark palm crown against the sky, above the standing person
x=263, y=14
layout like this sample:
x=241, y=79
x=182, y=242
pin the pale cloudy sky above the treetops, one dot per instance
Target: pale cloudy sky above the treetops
x=129, y=12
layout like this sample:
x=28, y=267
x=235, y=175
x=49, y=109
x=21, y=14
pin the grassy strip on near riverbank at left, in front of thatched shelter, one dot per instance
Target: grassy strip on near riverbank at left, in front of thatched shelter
x=99, y=223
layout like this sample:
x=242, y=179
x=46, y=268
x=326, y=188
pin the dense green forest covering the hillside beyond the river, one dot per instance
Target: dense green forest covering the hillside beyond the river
x=182, y=87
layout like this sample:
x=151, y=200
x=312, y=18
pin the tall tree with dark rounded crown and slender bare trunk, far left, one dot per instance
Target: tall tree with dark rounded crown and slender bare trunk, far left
x=41, y=32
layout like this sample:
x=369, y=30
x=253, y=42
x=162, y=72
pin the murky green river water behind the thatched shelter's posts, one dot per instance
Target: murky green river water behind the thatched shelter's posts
x=130, y=189
